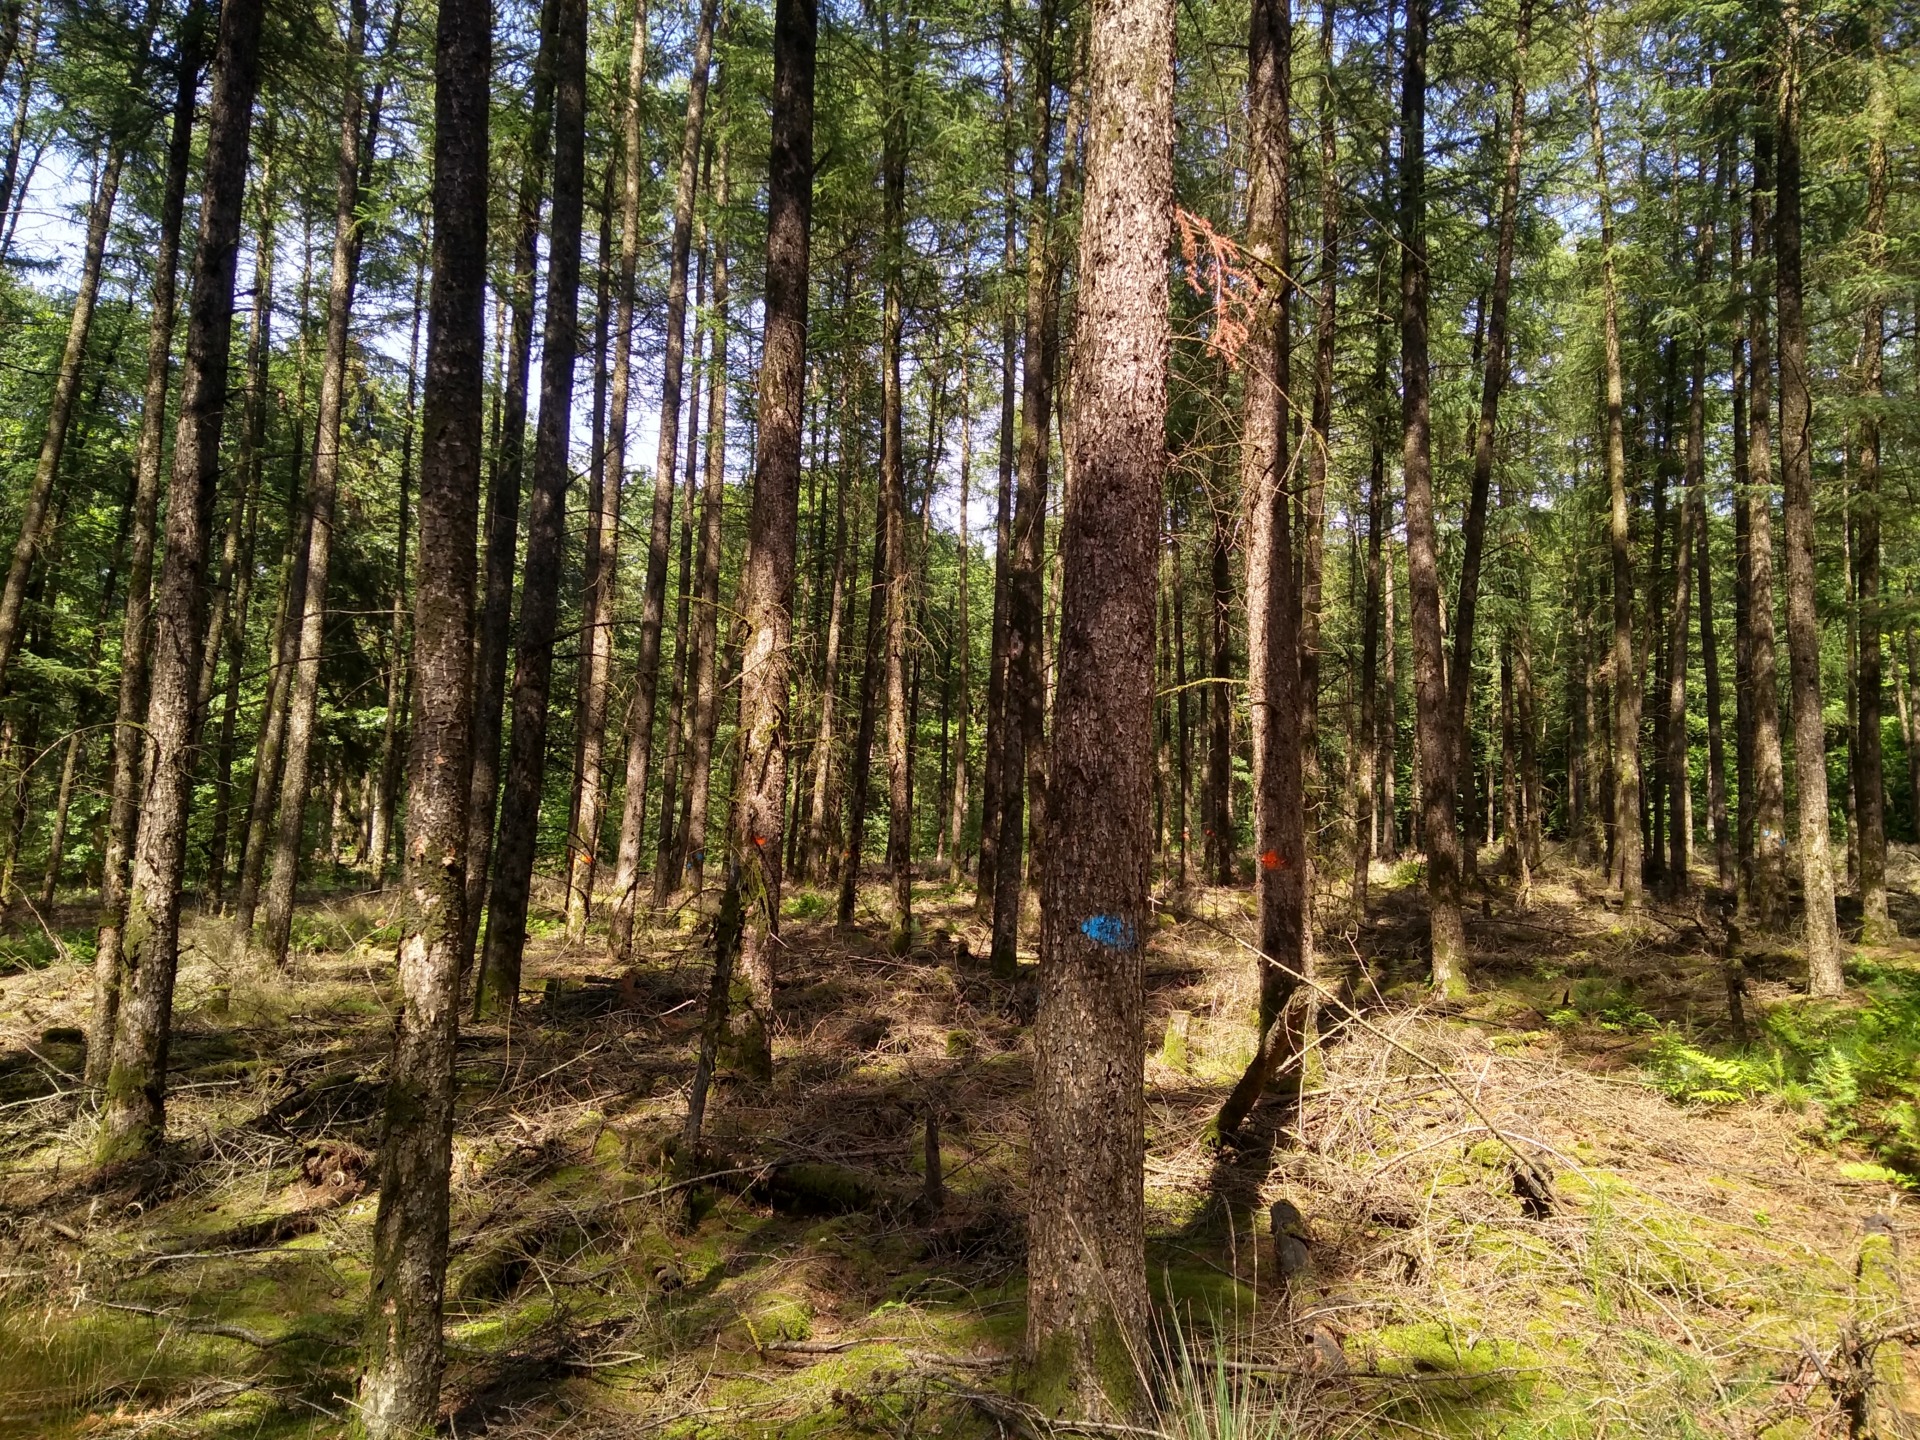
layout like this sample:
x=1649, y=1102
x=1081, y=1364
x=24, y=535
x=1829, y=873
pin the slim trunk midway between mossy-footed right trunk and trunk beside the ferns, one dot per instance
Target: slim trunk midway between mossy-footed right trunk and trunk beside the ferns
x=1627, y=842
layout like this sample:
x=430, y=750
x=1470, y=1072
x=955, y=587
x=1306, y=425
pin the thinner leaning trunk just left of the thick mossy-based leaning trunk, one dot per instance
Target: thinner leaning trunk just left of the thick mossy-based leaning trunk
x=135, y=631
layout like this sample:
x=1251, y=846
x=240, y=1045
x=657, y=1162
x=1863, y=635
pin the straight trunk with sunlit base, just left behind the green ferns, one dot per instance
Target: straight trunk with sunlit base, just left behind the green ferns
x=1796, y=485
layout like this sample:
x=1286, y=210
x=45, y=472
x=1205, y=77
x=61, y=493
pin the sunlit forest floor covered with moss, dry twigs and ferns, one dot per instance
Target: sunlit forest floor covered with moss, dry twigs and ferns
x=1727, y=1251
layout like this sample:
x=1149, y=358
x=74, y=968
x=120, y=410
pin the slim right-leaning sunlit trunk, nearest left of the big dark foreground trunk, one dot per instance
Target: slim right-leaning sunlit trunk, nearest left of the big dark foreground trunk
x=322, y=494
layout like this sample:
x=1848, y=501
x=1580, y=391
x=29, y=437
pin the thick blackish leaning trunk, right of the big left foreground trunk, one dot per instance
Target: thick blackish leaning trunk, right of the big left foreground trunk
x=510, y=884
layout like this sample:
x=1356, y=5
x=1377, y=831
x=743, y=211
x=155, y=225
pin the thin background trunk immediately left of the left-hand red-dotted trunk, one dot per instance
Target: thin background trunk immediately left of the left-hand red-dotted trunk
x=708, y=596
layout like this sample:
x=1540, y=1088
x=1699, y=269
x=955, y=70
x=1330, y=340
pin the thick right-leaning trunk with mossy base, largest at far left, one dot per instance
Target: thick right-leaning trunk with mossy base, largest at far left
x=135, y=1099
